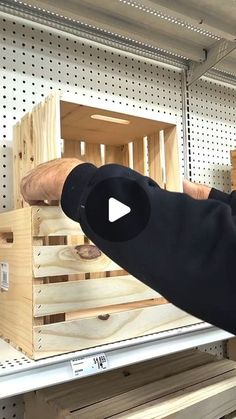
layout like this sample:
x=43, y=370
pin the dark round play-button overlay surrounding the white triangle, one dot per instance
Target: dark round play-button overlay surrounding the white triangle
x=130, y=193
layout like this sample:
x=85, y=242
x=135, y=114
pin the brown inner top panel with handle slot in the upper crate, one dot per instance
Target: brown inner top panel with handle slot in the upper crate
x=76, y=123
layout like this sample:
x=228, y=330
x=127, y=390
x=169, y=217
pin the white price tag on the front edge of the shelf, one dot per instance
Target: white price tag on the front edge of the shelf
x=90, y=365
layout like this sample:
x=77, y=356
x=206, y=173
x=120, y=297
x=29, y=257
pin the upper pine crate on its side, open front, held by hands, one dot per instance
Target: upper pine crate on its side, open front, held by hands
x=94, y=135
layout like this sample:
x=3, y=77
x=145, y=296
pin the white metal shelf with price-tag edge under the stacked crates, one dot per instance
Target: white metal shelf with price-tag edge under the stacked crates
x=19, y=374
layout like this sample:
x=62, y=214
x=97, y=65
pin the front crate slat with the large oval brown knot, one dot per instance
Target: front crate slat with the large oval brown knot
x=66, y=260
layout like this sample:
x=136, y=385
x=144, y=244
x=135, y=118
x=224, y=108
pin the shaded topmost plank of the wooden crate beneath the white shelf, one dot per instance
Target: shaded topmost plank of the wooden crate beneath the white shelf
x=64, y=398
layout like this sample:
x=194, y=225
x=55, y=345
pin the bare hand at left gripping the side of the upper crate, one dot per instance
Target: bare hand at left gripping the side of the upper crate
x=45, y=182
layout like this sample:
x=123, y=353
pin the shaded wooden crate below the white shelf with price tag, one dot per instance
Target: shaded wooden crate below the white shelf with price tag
x=187, y=385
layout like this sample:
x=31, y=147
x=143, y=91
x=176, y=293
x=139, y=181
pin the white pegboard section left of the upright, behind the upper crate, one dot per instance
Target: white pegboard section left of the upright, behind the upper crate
x=35, y=61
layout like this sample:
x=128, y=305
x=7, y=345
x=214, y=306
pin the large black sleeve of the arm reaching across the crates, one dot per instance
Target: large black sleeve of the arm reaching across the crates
x=187, y=250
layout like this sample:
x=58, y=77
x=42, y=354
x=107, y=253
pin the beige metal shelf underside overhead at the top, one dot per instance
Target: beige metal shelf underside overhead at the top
x=179, y=33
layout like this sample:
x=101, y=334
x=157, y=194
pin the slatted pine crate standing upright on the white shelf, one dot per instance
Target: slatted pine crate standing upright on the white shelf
x=65, y=297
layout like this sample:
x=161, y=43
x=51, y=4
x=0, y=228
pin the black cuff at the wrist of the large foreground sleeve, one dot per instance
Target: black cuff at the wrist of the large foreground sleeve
x=73, y=188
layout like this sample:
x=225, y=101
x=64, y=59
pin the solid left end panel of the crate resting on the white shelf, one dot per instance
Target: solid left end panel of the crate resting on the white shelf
x=16, y=322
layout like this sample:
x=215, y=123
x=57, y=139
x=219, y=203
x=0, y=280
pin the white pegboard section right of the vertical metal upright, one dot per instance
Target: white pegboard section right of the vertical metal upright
x=212, y=134
